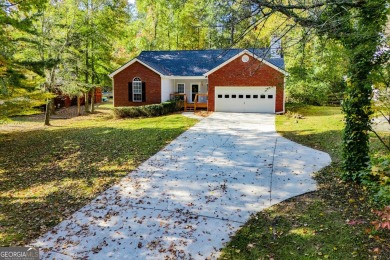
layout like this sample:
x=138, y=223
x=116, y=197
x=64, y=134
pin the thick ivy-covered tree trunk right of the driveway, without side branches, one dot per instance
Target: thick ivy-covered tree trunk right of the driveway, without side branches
x=357, y=105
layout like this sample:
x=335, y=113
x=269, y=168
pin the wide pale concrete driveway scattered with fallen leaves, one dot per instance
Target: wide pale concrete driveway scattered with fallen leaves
x=187, y=200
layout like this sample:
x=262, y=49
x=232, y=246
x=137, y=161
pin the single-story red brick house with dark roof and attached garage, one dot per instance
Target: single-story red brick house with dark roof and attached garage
x=236, y=80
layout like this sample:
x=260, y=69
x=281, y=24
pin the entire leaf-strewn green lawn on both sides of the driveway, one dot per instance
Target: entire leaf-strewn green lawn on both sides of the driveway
x=46, y=173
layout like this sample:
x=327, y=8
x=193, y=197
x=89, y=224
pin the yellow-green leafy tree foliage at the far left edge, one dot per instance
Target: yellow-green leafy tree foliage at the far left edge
x=19, y=85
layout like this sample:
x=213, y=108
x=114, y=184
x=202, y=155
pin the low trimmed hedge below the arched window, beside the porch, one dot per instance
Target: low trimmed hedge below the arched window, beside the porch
x=146, y=111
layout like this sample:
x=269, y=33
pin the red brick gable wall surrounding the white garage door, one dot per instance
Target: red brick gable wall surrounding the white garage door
x=252, y=73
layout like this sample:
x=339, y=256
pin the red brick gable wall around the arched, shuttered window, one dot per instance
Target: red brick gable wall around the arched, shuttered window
x=152, y=85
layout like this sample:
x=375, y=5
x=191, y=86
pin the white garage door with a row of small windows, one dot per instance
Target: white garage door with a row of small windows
x=245, y=99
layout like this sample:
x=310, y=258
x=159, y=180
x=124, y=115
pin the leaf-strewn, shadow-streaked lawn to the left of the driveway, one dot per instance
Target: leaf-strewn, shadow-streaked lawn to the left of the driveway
x=46, y=173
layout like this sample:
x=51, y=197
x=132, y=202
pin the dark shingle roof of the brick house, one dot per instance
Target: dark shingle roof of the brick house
x=197, y=62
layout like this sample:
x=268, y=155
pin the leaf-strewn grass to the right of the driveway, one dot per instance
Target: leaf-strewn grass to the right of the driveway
x=333, y=222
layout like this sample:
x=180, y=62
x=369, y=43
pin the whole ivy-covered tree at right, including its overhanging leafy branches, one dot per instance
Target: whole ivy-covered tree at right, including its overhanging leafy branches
x=357, y=25
